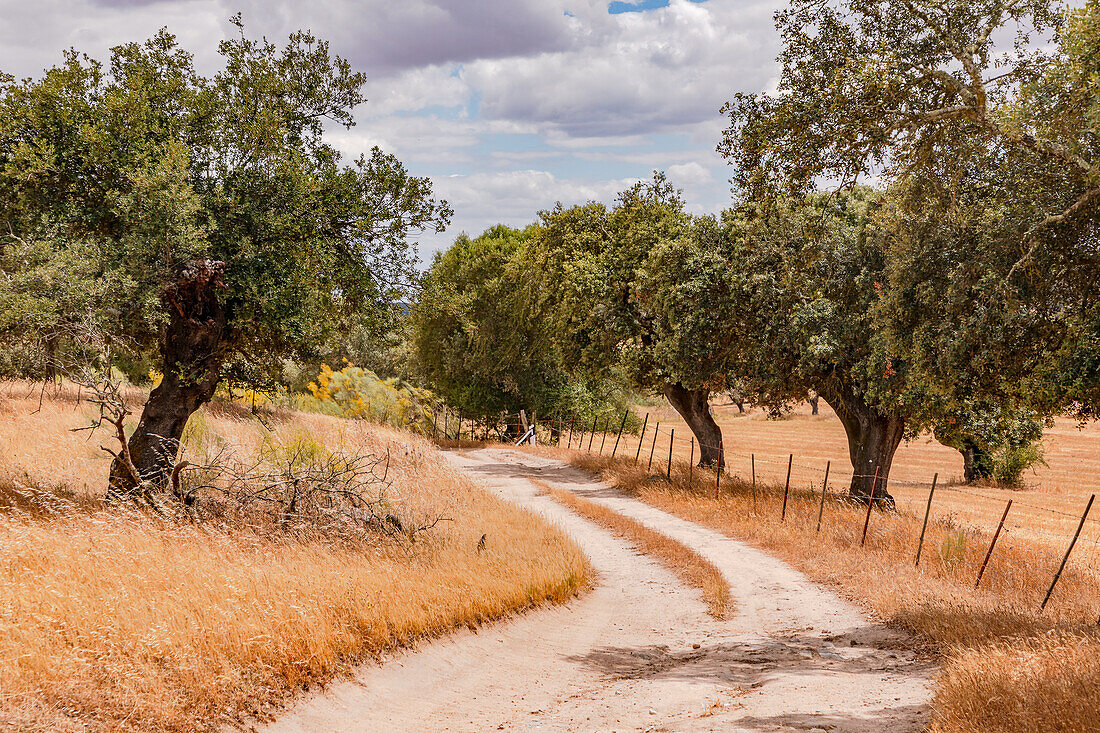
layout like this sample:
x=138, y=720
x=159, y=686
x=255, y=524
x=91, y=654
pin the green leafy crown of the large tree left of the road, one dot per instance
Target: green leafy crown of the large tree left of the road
x=117, y=174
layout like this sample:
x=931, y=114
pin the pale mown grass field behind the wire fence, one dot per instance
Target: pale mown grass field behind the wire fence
x=1047, y=510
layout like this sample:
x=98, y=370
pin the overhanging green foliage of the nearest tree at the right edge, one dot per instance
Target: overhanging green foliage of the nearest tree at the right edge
x=989, y=155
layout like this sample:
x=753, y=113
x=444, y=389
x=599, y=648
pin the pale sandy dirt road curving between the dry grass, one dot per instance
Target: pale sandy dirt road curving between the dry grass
x=640, y=653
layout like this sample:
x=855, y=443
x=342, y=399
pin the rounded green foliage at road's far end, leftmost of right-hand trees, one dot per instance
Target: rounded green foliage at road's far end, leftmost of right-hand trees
x=485, y=340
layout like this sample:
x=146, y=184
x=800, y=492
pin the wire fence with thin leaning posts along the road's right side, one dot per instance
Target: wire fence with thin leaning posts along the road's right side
x=1043, y=542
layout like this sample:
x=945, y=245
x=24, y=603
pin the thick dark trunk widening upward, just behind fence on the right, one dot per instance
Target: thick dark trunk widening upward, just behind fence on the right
x=873, y=440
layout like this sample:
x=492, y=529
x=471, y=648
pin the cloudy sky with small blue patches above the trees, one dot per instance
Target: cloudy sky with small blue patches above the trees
x=509, y=106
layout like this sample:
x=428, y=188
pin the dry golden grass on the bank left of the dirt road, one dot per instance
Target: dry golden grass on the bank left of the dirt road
x=114, y=621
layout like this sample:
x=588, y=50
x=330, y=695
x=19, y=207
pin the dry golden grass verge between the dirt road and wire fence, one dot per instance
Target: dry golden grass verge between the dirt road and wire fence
x=994, y=640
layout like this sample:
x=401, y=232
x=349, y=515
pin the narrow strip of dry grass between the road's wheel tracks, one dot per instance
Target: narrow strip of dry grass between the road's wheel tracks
x=692, y=567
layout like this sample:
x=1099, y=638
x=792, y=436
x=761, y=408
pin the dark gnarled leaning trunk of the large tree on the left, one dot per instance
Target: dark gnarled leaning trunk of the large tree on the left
x=193, y=348
